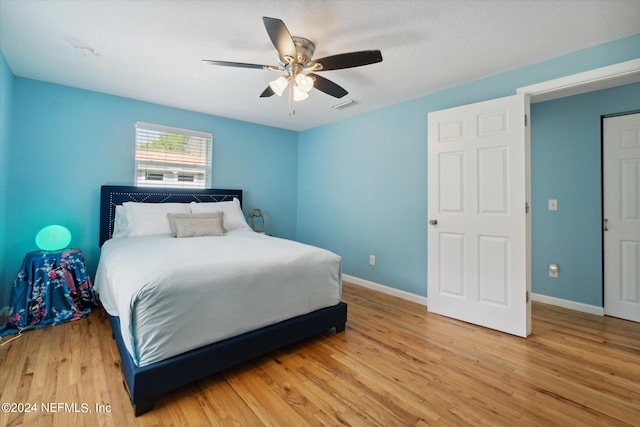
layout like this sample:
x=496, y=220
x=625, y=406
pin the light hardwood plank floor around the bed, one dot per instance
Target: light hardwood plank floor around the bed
x=395, y=364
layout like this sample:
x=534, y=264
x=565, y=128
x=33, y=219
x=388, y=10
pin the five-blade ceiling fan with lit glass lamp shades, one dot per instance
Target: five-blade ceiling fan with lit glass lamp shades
x=299, y=70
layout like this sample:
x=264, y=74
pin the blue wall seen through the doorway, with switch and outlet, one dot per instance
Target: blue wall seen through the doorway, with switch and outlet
x=566, y=165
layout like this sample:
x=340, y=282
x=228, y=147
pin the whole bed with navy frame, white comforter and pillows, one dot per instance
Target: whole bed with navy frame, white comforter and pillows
x=163, y=347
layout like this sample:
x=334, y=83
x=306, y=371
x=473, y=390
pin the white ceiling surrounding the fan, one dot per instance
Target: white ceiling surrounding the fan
x=152, y=50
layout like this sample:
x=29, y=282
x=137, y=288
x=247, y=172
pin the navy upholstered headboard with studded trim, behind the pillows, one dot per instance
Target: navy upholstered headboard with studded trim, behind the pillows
x=112, y=195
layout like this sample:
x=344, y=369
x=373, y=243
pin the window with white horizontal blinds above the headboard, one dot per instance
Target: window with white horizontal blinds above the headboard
x=172, y=157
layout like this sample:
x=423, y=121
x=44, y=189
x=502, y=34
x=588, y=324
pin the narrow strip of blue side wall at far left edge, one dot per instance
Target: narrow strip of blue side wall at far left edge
x=6, y=96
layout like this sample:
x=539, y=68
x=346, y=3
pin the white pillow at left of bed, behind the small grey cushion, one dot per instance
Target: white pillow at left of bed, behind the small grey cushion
x=151, y=218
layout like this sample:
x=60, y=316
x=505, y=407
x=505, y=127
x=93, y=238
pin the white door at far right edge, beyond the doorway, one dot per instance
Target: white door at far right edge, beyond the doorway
x=621, y=172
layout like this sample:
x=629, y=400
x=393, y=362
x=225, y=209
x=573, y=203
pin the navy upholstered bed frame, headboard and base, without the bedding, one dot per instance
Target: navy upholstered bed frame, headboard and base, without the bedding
x=146, y=383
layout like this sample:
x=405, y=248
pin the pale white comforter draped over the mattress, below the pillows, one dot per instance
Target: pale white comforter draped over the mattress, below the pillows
x=176, y=294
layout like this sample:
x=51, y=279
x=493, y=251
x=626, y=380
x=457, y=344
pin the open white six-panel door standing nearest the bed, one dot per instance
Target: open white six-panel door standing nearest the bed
x=478, y=245
